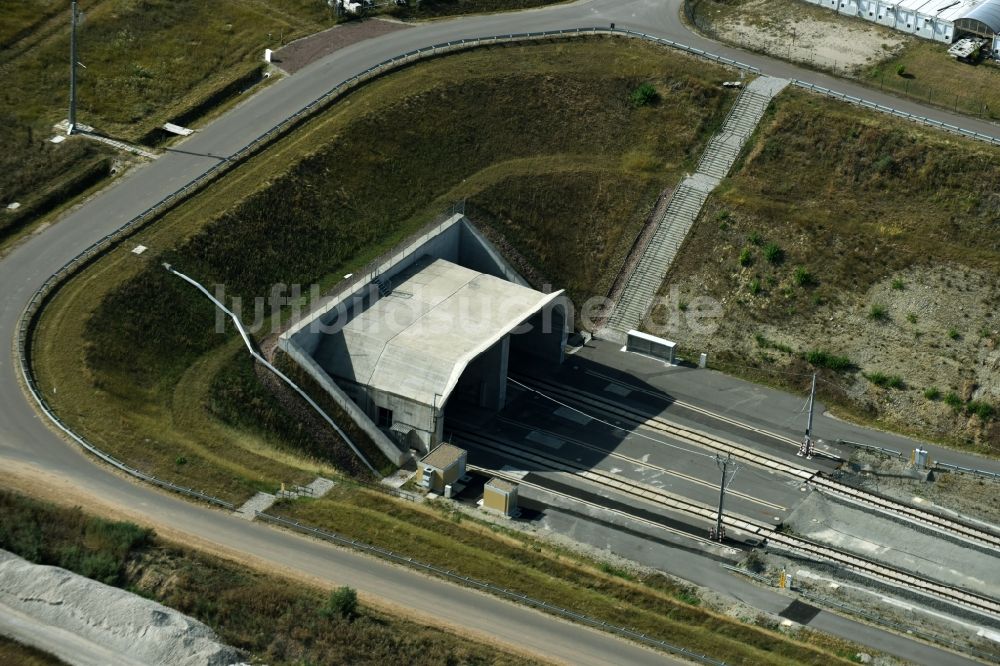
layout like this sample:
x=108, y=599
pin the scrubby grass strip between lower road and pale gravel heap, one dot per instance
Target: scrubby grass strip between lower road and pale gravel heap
x=273, y=619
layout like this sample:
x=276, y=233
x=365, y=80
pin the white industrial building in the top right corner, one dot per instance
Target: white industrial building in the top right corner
x=940, y=20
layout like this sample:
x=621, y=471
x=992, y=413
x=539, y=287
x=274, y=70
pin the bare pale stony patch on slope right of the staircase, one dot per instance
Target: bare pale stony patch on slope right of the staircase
x=938, y=335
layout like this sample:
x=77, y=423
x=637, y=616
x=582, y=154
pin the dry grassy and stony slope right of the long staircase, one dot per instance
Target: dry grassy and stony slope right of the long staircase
x=846, y=257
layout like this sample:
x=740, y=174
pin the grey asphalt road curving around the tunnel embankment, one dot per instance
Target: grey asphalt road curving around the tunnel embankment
x=29, y=448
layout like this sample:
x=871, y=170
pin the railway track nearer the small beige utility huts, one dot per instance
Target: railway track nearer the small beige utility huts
x=766, y=533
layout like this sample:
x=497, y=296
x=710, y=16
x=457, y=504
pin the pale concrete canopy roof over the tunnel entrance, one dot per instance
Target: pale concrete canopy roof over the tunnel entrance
x=417, y=341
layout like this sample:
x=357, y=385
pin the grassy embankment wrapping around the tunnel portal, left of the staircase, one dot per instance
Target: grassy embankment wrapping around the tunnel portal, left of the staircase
x=128, y=353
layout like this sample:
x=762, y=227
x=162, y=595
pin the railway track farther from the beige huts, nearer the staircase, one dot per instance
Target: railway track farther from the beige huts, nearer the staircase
x=590, y=404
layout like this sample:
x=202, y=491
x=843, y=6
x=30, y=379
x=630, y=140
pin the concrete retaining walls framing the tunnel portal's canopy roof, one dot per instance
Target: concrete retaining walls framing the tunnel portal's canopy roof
x=455, y=240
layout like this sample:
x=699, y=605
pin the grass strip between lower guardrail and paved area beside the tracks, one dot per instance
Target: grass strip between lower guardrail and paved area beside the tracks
x=651, y=603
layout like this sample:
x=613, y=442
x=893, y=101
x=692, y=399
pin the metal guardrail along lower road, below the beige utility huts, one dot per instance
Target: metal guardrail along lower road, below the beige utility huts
x=488, y=587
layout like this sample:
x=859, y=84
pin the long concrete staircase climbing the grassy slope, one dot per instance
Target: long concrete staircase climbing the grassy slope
x=685, y=206
